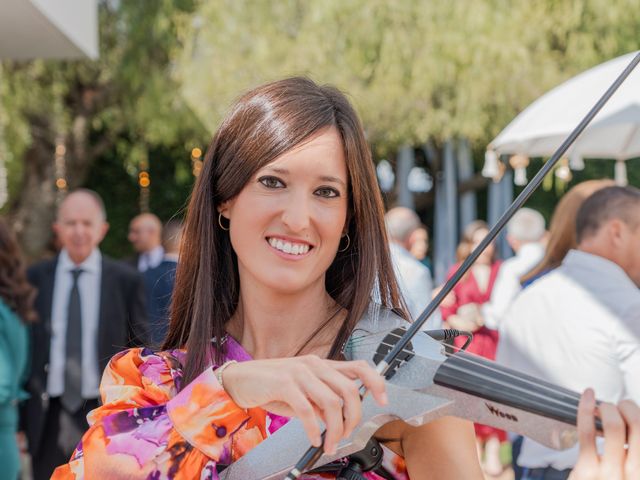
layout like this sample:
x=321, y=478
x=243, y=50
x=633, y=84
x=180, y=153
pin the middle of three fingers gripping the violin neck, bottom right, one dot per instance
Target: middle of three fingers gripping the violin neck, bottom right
x=614, y=431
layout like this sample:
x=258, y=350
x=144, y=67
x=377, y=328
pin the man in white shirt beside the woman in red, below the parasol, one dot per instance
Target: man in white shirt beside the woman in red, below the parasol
x=524, y=234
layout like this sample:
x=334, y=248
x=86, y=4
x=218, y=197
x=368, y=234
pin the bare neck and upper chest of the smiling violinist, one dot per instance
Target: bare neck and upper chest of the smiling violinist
x=273, y=325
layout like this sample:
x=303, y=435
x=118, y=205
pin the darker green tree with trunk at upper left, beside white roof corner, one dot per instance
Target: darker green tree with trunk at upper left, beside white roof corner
x=123, y=105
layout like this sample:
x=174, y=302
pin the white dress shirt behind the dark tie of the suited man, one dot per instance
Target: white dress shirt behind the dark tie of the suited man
x=89, y=283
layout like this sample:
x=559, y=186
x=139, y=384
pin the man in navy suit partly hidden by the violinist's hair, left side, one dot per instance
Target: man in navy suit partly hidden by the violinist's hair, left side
x=159, y=282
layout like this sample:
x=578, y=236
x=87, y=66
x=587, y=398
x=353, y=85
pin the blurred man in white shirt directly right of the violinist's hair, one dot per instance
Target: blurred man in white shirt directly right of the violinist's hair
x=413, y=277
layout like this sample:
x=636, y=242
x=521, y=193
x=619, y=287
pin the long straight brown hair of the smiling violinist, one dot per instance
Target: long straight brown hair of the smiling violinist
x=264, y=124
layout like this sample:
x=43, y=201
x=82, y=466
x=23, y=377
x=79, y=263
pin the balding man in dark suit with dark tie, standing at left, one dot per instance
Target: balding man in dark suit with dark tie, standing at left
x=90, y=308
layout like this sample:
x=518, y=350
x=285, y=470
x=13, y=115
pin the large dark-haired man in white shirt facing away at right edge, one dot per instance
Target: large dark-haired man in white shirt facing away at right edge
x=579, y=326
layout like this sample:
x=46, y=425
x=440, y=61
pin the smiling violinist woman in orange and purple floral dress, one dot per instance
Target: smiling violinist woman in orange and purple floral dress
x=284, y=243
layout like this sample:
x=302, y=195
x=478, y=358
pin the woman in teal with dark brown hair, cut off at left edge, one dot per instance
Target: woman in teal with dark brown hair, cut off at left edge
x=16, y=311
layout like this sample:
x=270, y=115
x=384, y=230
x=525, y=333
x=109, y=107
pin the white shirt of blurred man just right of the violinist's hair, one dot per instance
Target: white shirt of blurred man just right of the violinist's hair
x=414, y=280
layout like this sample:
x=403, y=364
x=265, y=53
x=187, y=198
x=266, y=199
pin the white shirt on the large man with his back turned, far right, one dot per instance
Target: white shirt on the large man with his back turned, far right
x=578, y=327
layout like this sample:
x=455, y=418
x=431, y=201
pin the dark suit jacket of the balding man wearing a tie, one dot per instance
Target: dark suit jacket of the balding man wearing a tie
x=122, y=324
